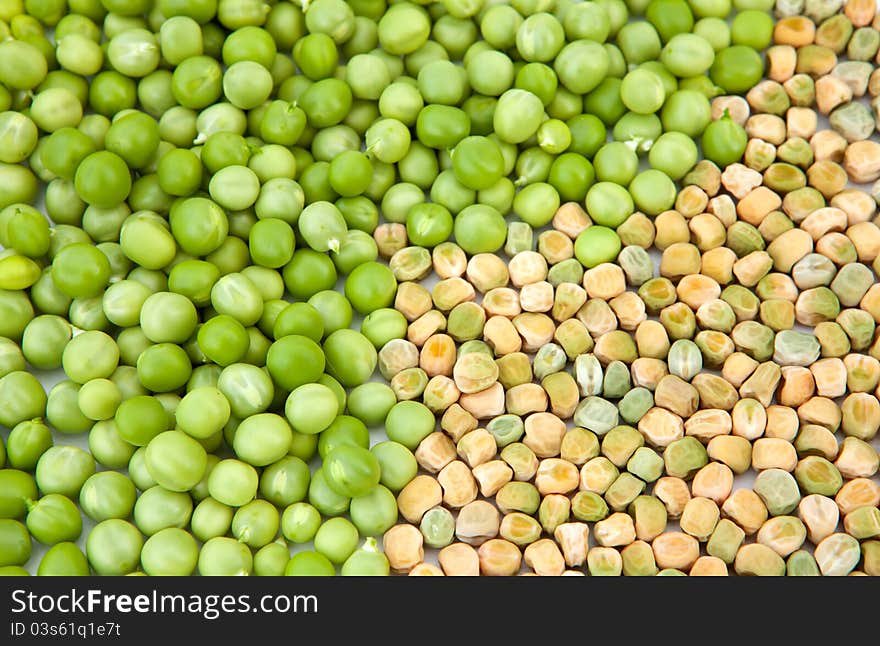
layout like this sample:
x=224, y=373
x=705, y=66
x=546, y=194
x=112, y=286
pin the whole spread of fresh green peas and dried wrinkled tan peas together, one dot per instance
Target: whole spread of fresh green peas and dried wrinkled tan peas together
x=249, y=233
